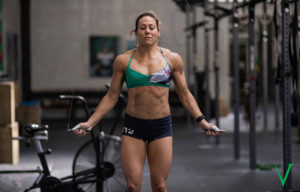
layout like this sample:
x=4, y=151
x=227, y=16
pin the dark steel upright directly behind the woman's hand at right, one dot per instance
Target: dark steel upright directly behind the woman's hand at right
x=216, y=68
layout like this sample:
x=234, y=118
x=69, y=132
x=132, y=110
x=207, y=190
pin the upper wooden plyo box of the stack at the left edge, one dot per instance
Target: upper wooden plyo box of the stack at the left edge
x=7, y=103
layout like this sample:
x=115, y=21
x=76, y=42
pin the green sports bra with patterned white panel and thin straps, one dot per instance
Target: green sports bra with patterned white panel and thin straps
x=160, y=78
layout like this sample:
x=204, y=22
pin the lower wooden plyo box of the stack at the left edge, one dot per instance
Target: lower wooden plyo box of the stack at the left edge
x=9, y=149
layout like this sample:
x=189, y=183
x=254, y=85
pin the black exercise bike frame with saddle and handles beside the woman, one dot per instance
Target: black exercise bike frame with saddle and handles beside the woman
x=93, y=175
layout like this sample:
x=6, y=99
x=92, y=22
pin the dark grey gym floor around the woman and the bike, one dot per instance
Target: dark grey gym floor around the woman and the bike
x=198, y=163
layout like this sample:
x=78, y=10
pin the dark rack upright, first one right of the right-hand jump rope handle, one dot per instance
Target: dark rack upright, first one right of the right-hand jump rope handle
x=236, y=81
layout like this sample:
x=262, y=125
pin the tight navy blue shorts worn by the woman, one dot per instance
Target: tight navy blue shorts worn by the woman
x=147, y=130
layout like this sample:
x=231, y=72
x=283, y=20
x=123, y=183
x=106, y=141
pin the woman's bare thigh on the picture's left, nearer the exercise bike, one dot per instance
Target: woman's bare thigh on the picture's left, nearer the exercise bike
x=133, y=155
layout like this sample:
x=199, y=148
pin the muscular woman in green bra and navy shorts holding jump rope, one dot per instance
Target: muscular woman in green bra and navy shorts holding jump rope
x=147, y=71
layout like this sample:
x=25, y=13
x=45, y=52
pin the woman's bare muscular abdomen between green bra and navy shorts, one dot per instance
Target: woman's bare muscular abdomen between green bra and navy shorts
x=148, y=102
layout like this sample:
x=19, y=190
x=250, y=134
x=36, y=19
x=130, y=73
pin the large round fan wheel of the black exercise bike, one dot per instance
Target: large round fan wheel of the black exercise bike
x=85, y=159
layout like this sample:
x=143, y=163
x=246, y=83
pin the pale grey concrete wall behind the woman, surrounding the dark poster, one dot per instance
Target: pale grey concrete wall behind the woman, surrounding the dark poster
x=61, y=29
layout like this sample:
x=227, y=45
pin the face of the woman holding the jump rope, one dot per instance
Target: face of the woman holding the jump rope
x=147, y=32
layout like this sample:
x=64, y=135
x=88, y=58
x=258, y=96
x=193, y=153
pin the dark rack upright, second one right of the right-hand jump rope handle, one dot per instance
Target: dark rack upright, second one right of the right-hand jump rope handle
x=252, y=91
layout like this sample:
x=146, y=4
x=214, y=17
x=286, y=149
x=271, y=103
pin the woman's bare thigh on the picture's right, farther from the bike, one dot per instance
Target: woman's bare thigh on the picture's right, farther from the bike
x=160, y=154
